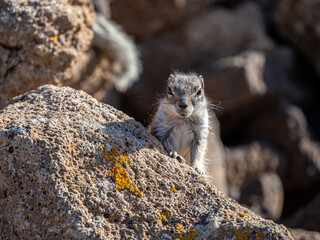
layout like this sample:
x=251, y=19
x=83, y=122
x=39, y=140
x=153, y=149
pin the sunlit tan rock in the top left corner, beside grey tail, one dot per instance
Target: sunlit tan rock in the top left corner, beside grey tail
x=39, y=42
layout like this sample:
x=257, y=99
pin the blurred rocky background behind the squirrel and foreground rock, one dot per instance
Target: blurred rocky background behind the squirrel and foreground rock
x=261, y=65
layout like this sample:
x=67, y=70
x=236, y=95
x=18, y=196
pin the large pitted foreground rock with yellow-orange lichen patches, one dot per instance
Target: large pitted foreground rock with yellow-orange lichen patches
x=74, y=168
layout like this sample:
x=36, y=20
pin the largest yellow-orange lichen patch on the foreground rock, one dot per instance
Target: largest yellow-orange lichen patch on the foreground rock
x=118, y=173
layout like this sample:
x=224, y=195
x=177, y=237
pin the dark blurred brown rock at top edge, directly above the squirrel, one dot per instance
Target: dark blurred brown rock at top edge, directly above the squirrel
x=143, y=18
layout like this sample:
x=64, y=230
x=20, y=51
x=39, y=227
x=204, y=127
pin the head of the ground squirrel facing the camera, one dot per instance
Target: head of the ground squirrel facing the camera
x=185, y=93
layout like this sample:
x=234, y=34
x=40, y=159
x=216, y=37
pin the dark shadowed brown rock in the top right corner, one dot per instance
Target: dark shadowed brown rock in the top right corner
x=298, y=21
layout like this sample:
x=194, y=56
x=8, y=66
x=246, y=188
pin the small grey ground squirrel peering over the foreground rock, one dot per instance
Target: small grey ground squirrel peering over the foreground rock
x=181, y=122
